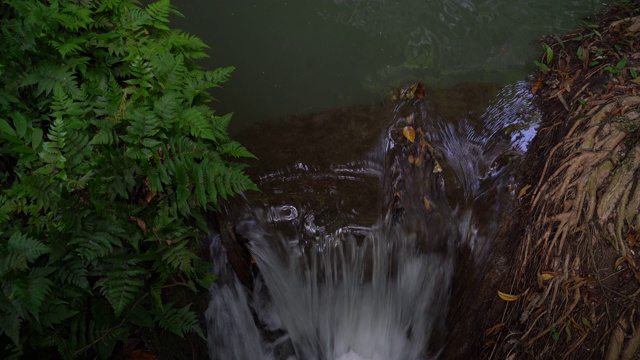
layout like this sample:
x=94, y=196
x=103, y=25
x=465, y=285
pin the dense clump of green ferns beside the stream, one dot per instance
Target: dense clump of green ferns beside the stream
x=109, y=156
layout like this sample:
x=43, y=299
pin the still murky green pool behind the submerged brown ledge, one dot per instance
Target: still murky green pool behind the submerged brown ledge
x=309, y=55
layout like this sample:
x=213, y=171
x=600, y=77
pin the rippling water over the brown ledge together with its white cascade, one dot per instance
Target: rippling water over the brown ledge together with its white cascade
x=347, y=280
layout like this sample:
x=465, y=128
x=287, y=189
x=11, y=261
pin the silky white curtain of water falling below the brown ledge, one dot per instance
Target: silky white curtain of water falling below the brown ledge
x=379, y=297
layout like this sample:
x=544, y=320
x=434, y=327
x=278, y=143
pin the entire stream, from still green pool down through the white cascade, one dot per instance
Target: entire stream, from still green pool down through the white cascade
x=355, y=252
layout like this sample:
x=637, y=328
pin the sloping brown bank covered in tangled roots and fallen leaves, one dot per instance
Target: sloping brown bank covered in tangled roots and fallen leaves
x=568, y=269
